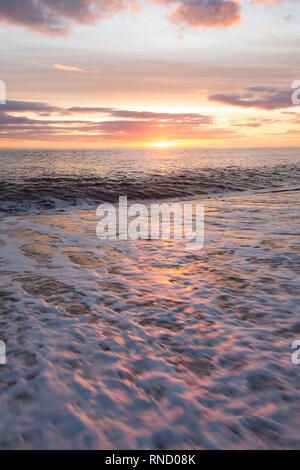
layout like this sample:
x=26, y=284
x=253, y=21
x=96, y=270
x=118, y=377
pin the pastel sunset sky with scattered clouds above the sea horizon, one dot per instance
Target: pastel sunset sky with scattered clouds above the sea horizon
x=101, y=73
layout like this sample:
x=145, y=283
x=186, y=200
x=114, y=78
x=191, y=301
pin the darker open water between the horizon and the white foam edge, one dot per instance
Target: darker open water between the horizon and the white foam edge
x=56, y=178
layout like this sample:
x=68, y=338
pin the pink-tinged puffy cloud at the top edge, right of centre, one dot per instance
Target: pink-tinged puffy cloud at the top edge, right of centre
x=207, y=13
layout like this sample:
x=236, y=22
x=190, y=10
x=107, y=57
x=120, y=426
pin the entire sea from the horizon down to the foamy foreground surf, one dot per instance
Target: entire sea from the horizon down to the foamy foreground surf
x=144, y=344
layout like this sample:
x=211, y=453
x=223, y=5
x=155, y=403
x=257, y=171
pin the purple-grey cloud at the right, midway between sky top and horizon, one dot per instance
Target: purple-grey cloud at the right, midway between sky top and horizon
x=257, y=97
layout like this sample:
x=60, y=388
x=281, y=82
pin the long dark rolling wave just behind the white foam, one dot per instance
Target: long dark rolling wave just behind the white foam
x=51, y=192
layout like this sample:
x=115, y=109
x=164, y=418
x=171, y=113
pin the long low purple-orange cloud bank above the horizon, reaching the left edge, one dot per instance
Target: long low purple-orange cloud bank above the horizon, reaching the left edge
x=116, y=126
